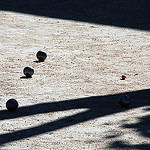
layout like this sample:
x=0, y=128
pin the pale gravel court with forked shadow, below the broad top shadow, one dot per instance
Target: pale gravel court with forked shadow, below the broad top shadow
x=71, y=102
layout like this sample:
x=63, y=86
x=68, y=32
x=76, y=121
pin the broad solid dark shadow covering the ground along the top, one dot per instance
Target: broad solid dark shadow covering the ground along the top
x=122, y=13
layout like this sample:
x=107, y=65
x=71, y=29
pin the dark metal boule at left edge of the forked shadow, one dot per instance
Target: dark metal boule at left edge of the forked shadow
x=12, y=105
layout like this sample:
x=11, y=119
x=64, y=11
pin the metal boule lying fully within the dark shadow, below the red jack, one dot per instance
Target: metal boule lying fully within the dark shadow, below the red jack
x=124, y=100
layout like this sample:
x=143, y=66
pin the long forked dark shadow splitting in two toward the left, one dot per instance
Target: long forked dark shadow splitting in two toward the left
x=97, y=106
